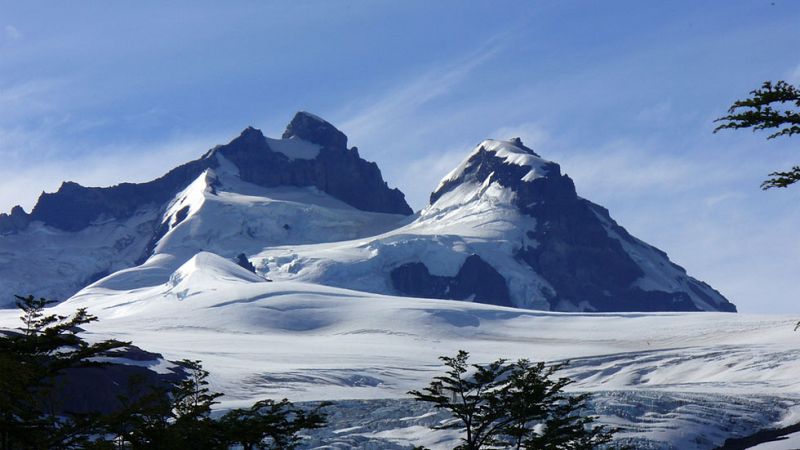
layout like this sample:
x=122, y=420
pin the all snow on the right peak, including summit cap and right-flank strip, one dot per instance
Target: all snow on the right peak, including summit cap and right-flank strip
x=471, y=218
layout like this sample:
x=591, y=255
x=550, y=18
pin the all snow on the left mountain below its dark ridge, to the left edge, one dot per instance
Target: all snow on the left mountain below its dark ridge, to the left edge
x=217, y=212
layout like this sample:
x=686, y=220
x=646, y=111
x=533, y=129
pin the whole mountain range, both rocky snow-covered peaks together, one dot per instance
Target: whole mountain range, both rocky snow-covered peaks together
x=505, y=227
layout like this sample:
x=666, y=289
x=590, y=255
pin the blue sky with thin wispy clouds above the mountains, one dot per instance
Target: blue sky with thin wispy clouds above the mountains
x=621, y=93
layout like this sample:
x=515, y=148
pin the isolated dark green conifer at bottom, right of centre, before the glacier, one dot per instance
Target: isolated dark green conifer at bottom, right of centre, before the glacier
x=511, y=405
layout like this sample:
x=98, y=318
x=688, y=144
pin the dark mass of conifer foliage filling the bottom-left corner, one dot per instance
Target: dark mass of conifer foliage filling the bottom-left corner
x=151, y=415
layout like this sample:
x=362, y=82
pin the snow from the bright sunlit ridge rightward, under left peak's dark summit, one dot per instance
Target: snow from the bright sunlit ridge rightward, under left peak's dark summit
x=227, y=216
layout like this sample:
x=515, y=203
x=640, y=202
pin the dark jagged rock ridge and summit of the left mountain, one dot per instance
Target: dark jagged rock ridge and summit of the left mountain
x=337, y=170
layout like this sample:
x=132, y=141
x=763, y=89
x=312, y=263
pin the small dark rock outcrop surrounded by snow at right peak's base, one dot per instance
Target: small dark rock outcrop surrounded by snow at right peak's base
x=476, y=280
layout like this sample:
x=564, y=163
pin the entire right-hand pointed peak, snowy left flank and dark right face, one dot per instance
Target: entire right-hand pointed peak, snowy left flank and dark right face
x=505, y=227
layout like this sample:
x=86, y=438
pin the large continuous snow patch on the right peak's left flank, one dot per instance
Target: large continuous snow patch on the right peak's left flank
x=470, y=219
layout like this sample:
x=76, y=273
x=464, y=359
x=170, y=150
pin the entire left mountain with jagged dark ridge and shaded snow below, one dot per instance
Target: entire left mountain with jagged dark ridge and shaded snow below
x=258, y=191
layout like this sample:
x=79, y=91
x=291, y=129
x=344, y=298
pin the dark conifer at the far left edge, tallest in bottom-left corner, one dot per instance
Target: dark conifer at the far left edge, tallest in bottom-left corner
x=33, y=361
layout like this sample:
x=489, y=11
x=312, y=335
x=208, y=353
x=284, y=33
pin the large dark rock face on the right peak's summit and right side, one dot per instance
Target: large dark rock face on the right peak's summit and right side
x=575, y=252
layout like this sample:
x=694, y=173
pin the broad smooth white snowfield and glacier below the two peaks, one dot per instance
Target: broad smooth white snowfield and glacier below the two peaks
x=670, y=380
